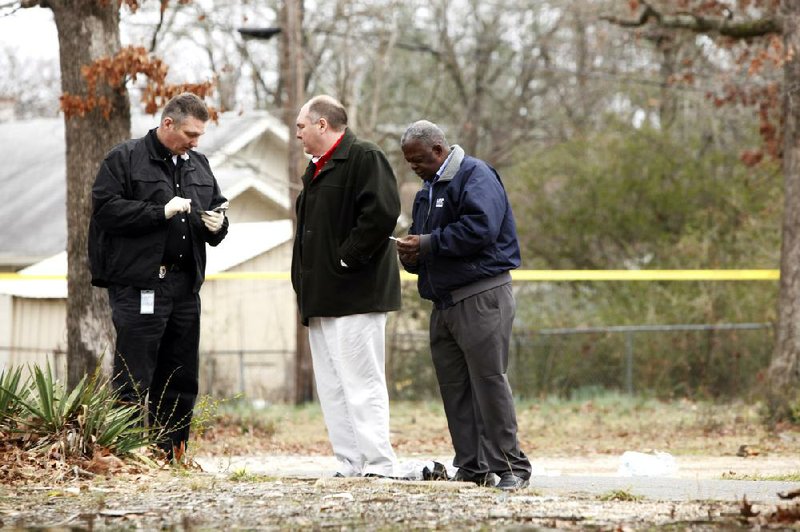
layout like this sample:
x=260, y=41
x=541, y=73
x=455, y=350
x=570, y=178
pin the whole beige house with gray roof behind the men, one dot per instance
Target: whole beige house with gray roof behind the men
x=247, y=322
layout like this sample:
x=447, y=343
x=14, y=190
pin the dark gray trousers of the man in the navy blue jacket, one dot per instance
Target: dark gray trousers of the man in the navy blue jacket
x=469, y=347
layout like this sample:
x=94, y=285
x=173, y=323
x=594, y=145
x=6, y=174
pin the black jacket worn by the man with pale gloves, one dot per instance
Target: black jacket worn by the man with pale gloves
x=128, y=228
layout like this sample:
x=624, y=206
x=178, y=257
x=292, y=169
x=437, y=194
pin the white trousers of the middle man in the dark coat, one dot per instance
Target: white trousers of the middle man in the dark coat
x=349, y=354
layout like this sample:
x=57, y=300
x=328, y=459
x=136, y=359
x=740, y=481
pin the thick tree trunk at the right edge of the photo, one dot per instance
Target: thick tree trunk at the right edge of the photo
x=784, y=371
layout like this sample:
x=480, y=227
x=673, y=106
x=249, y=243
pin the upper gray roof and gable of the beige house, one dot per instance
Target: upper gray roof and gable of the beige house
x=247, y=152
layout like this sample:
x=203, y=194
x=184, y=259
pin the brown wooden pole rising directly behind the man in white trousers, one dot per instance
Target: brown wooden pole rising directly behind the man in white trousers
x=293, y=80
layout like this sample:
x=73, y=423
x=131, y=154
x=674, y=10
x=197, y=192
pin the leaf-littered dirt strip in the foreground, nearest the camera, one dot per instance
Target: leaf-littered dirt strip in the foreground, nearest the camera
x=203, y=502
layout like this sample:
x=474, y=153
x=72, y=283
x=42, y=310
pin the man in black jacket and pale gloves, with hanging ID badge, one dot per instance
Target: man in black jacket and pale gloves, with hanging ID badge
x=155, y=204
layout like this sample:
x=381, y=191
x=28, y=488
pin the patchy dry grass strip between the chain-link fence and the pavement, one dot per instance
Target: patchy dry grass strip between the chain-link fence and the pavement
x=604, y=424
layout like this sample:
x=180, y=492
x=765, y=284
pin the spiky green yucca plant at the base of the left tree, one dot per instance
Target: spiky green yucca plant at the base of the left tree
x=78, y=421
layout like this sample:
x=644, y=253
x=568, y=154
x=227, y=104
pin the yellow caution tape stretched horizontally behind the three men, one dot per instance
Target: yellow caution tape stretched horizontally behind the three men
x=516, y=275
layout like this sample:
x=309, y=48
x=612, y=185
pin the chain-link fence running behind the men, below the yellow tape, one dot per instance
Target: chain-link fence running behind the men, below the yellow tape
x=722, y=360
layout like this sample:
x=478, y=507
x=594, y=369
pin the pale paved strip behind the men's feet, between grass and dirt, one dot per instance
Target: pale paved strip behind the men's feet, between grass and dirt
x=694, y=478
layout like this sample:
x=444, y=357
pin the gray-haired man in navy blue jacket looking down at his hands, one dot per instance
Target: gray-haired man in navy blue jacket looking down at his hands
x=462, y=245
